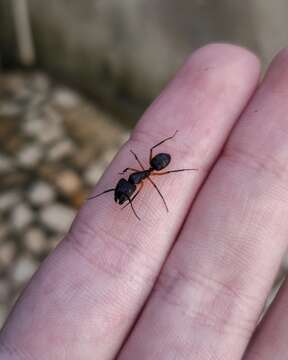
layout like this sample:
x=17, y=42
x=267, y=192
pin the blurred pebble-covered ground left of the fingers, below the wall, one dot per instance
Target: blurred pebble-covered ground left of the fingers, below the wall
x=54, y=146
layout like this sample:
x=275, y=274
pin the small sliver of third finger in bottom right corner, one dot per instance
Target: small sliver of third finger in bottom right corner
x=270, y=339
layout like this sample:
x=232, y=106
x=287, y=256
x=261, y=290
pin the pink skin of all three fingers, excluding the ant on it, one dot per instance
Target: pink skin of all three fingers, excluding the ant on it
x=191, y=283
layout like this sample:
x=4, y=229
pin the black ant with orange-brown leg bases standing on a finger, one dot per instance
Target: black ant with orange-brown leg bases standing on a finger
x=126, y=188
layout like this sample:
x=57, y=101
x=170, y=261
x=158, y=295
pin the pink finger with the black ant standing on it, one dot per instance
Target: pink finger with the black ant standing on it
x=89, y=291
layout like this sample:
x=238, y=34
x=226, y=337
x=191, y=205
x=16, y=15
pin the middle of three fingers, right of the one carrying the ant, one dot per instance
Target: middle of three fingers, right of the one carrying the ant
x=210, y=293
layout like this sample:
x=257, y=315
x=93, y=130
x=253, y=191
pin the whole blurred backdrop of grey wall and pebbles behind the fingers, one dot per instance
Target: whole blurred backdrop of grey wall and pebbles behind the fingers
x=74, y=78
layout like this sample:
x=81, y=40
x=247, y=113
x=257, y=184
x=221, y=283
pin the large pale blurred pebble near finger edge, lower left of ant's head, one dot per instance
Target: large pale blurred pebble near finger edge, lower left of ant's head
x=57, y=217
